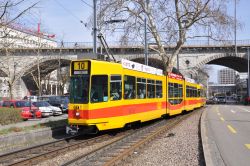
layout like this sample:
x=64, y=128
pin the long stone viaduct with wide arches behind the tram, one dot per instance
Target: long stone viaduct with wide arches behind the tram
x=22, y=63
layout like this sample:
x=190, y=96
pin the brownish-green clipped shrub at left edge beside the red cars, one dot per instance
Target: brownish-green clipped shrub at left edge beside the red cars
x=10, y=115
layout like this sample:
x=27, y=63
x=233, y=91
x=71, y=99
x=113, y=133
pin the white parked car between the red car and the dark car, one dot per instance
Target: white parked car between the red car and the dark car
x=47, y=109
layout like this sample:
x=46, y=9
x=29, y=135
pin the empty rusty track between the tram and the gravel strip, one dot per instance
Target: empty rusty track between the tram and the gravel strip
x=114, y=152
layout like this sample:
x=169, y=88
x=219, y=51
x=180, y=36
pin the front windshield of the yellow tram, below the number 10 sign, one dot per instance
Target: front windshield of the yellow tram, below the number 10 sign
x=79, y=89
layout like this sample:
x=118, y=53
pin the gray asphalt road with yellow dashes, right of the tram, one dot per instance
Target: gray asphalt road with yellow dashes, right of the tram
x=226, y=140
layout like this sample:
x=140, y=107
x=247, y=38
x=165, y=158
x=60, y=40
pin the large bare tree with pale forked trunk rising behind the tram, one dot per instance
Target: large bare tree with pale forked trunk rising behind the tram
x=170, y=22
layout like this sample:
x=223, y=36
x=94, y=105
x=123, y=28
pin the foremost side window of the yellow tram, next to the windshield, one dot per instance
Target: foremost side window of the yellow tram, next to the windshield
x=99, y=88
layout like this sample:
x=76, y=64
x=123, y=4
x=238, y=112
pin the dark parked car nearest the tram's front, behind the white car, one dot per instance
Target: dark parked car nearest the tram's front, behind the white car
x=57, y=101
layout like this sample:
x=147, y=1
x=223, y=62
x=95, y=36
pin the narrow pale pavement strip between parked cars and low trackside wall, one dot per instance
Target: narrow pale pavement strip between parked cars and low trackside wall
x=32, y=122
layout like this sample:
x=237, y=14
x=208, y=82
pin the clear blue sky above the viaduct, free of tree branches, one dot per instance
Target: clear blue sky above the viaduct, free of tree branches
x=62, y=17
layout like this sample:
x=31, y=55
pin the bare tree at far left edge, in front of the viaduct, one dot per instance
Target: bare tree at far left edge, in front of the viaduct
x=8, y=40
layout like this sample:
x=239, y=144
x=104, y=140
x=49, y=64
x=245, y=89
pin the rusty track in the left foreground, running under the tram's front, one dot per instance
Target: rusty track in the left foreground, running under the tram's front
x=36, y=154
